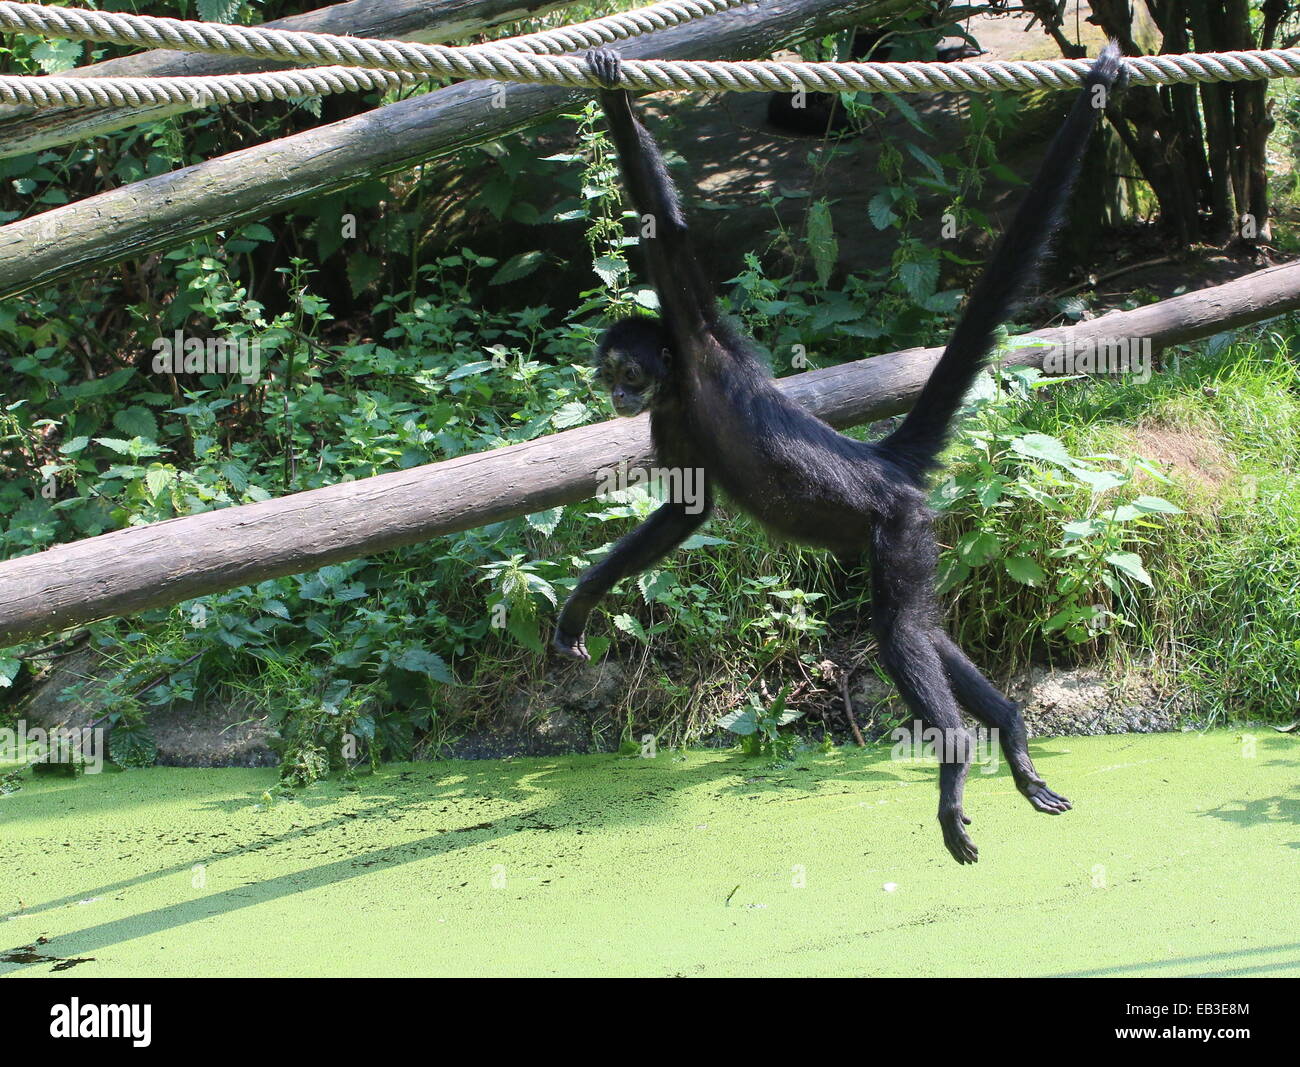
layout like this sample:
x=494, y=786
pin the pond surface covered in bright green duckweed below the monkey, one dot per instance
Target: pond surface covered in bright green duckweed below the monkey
x=1181, y=858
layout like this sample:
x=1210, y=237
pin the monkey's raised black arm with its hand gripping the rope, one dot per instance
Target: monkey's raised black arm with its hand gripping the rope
x=665, y=237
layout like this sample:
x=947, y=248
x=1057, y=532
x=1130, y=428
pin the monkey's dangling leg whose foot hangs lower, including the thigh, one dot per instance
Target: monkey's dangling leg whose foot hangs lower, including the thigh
x=903, y=618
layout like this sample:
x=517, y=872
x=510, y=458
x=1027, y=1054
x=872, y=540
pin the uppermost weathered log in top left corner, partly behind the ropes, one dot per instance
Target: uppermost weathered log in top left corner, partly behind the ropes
x=25, y=131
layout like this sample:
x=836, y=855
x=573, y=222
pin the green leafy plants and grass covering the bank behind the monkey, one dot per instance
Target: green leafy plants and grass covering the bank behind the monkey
x=1095, y=521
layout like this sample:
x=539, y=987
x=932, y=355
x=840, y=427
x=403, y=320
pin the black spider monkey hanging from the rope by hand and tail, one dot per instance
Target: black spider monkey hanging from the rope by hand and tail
x=714, y=407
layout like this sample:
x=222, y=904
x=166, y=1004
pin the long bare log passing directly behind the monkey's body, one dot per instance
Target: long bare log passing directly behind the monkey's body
x=166, y=563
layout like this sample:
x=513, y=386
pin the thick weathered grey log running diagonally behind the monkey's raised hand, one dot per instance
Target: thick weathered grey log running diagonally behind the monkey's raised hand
x=257, y=183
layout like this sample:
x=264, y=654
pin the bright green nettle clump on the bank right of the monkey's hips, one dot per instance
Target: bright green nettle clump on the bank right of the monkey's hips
x=1006, y=478
